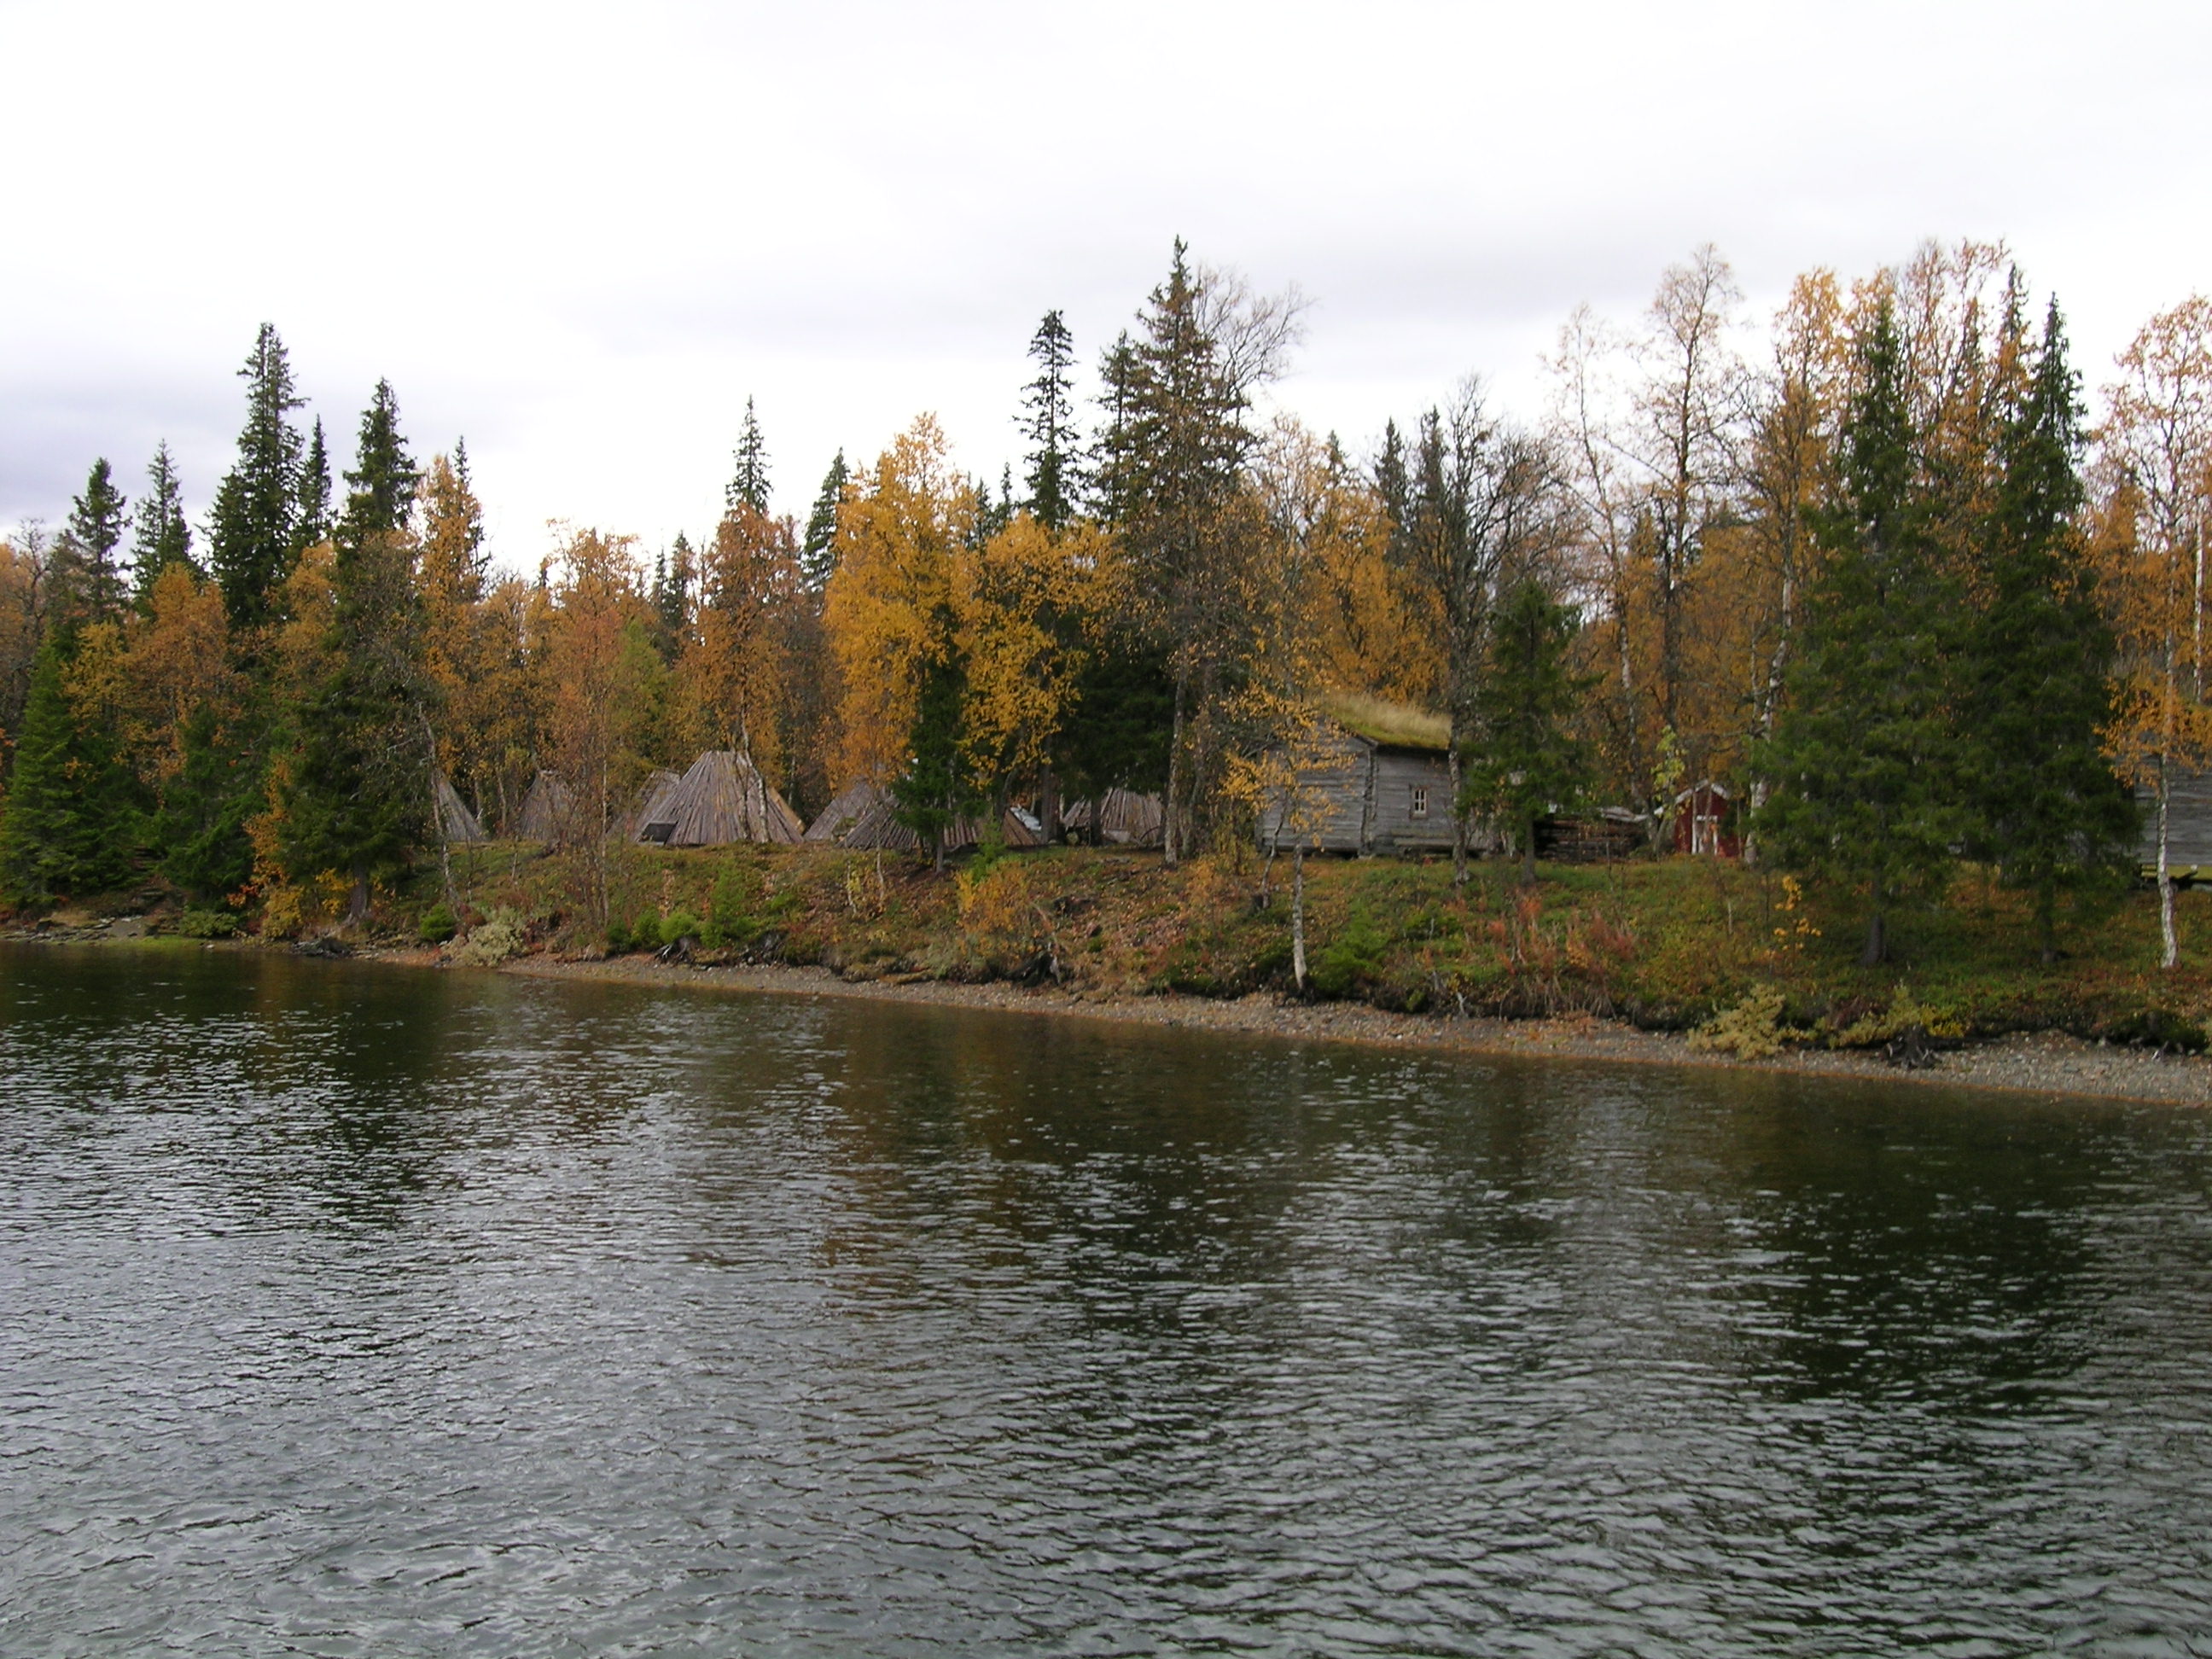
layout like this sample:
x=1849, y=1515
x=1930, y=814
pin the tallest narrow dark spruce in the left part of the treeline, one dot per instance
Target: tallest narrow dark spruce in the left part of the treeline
x=251, y=528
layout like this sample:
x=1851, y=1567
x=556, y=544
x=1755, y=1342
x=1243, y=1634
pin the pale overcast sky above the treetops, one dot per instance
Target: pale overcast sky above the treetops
x=583, y=236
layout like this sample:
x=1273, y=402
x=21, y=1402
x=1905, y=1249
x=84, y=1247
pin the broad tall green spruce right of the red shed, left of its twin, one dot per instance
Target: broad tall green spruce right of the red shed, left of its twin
x=1866, y=764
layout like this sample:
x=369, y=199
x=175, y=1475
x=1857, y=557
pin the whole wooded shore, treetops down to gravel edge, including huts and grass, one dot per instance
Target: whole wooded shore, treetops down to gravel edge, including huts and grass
x=1866, y=674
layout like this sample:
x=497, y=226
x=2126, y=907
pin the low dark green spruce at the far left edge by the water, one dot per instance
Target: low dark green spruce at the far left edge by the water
x=72, y=820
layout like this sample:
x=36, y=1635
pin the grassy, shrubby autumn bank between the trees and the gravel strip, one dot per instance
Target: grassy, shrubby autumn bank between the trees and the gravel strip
x=1667, y=946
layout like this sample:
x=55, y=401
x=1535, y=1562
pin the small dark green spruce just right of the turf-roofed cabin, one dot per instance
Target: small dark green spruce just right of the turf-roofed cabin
x=1527, y=764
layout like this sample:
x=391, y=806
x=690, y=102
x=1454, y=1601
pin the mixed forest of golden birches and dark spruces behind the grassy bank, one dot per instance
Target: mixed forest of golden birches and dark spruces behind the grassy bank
x=1877, y=563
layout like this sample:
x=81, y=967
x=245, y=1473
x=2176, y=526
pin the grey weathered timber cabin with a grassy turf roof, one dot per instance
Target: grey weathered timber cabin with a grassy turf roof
x=1379, y=784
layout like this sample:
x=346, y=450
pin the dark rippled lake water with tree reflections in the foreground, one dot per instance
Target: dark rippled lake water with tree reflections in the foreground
x=362, y=1311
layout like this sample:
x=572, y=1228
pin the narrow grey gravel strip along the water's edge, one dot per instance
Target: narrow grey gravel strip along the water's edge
x=2049, y=1065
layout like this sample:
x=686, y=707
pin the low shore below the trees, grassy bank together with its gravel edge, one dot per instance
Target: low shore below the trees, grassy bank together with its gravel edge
x=1680, y=961
